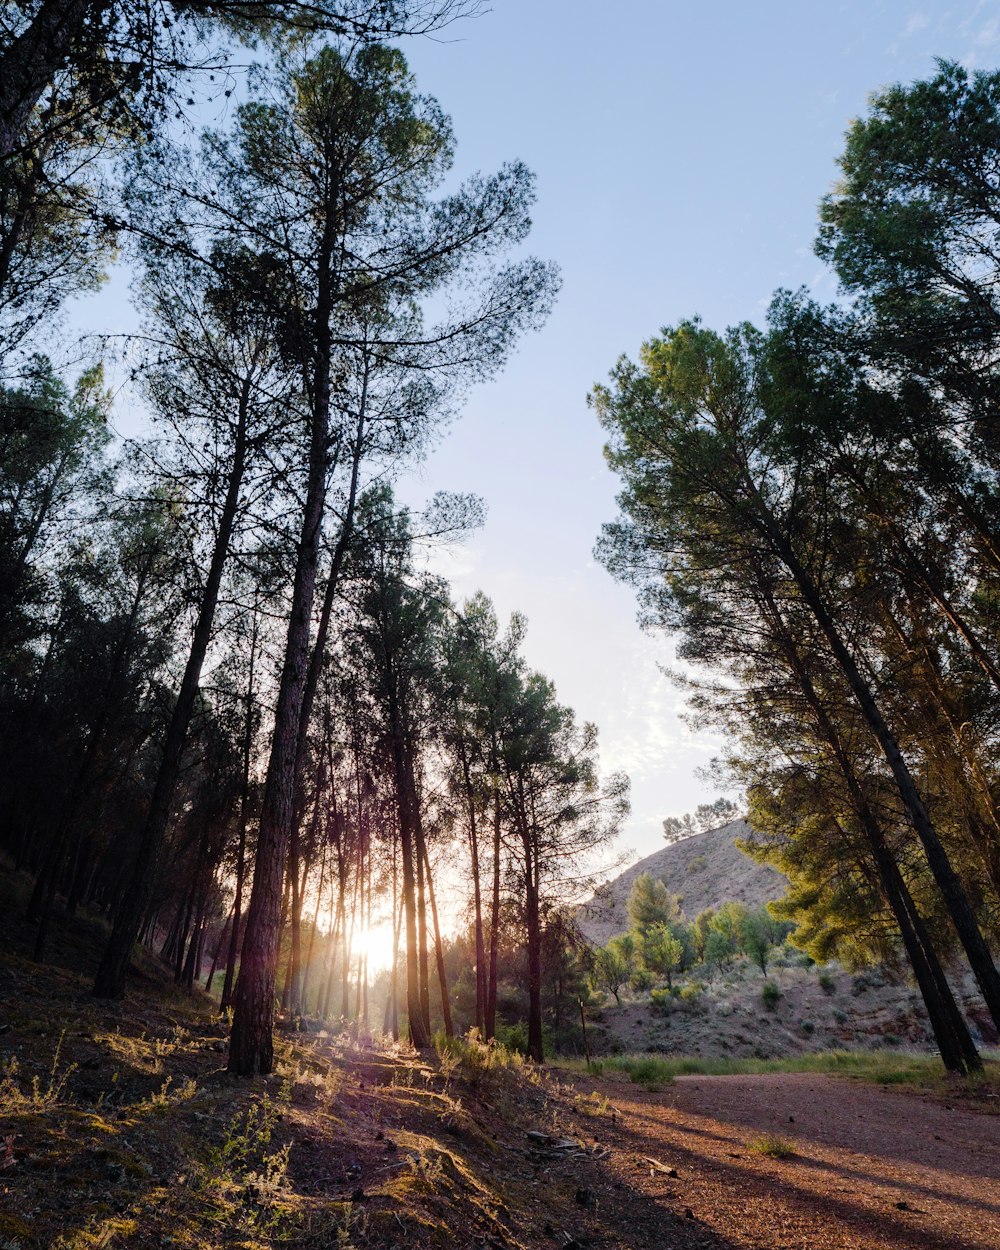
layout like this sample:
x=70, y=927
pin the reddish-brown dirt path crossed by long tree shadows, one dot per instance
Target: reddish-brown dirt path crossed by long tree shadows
x=872, y=1168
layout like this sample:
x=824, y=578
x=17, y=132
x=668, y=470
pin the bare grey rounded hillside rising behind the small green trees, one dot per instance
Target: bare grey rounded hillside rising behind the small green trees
x=706, y=871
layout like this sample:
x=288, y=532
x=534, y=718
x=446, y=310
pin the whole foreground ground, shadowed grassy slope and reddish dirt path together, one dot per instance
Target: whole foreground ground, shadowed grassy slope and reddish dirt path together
x=119, y=1128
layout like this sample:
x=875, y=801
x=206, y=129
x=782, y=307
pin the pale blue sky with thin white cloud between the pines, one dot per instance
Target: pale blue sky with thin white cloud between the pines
x=681, y=152
